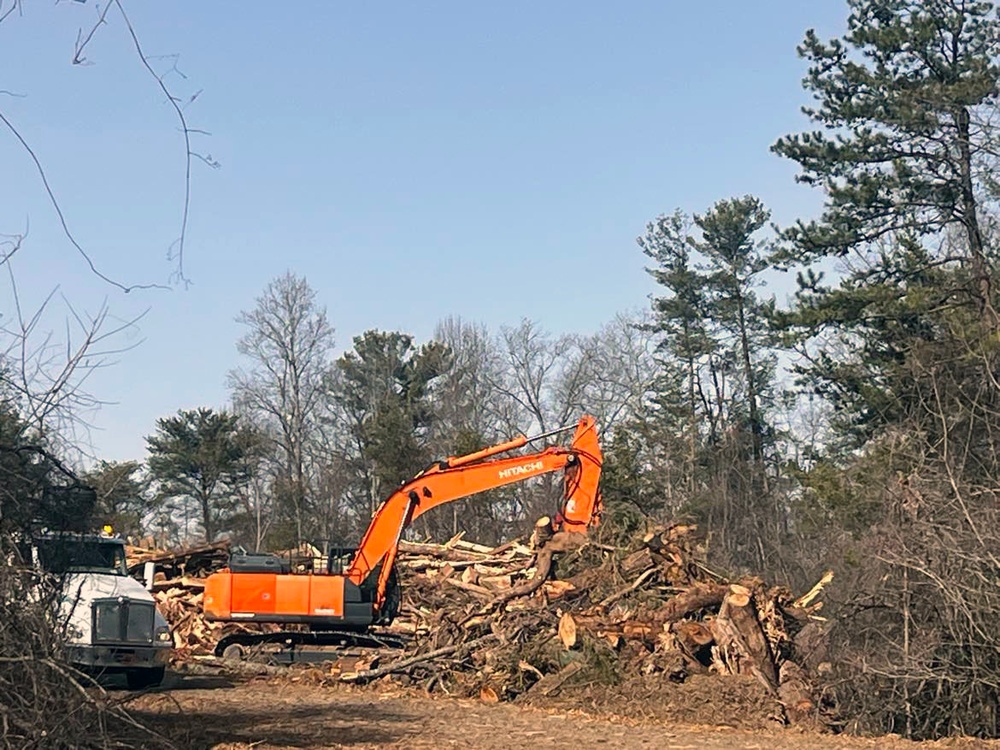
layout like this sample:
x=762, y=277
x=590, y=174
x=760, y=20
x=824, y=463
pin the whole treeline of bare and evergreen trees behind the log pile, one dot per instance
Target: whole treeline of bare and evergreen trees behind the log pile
x=853, y=426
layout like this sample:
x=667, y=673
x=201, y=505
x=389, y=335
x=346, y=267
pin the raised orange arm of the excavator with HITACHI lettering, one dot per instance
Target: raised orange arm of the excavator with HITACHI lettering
x=460, y=476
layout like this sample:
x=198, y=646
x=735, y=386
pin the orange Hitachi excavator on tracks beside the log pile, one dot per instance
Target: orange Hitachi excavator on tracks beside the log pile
x=339, y=605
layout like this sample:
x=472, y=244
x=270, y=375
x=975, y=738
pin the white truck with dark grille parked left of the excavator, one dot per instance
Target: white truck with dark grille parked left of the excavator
x=111, y=621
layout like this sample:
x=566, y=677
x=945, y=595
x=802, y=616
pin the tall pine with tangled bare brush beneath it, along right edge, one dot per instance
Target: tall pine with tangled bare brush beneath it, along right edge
x=905, y=347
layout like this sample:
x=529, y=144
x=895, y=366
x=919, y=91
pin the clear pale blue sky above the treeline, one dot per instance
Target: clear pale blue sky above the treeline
x=413, y=160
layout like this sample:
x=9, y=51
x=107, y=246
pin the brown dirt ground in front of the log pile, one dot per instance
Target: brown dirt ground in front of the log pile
x=224, y=714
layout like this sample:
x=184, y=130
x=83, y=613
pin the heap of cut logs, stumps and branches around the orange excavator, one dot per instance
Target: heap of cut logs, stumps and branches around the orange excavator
x=535, y=616
